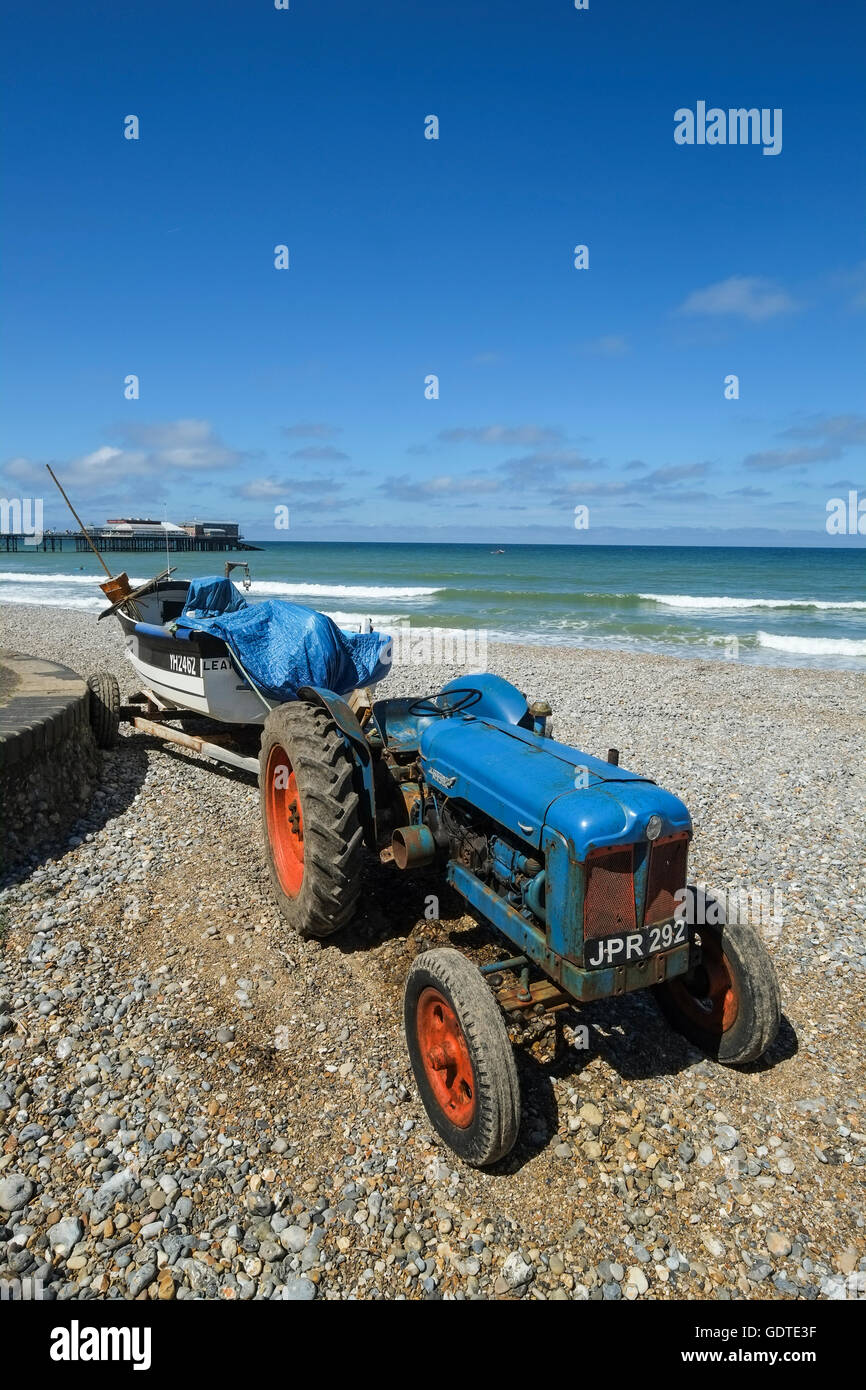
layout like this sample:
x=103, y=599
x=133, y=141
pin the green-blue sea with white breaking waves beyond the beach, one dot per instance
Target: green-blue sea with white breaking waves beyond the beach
x=767, y=607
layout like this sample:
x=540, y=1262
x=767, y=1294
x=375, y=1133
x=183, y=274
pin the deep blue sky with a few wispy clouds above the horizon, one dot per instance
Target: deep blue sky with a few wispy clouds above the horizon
x=601, y=387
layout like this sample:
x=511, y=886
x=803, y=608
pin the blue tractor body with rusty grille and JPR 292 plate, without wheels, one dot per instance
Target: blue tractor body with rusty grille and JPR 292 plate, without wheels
x=555, y=847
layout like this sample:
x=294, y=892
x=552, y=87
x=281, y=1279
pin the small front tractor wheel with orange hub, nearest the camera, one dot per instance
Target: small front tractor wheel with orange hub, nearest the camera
x=462, y=1057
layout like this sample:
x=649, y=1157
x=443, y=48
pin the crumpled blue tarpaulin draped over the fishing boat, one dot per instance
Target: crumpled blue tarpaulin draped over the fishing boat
x=284, y=646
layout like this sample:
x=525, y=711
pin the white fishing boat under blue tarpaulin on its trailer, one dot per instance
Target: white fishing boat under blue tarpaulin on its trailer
x=202, y=653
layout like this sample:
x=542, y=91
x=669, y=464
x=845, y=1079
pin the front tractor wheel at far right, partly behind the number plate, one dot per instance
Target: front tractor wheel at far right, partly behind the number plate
x=729, y=1006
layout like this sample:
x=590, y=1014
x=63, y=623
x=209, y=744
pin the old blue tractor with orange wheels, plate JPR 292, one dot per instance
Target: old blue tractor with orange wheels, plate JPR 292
x=579, y=865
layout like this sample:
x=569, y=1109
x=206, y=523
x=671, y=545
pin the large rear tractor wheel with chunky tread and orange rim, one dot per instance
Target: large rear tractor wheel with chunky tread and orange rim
x=313, y=836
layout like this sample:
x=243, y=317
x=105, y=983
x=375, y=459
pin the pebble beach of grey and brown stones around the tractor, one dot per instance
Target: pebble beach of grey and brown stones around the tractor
x=197, y=1104
